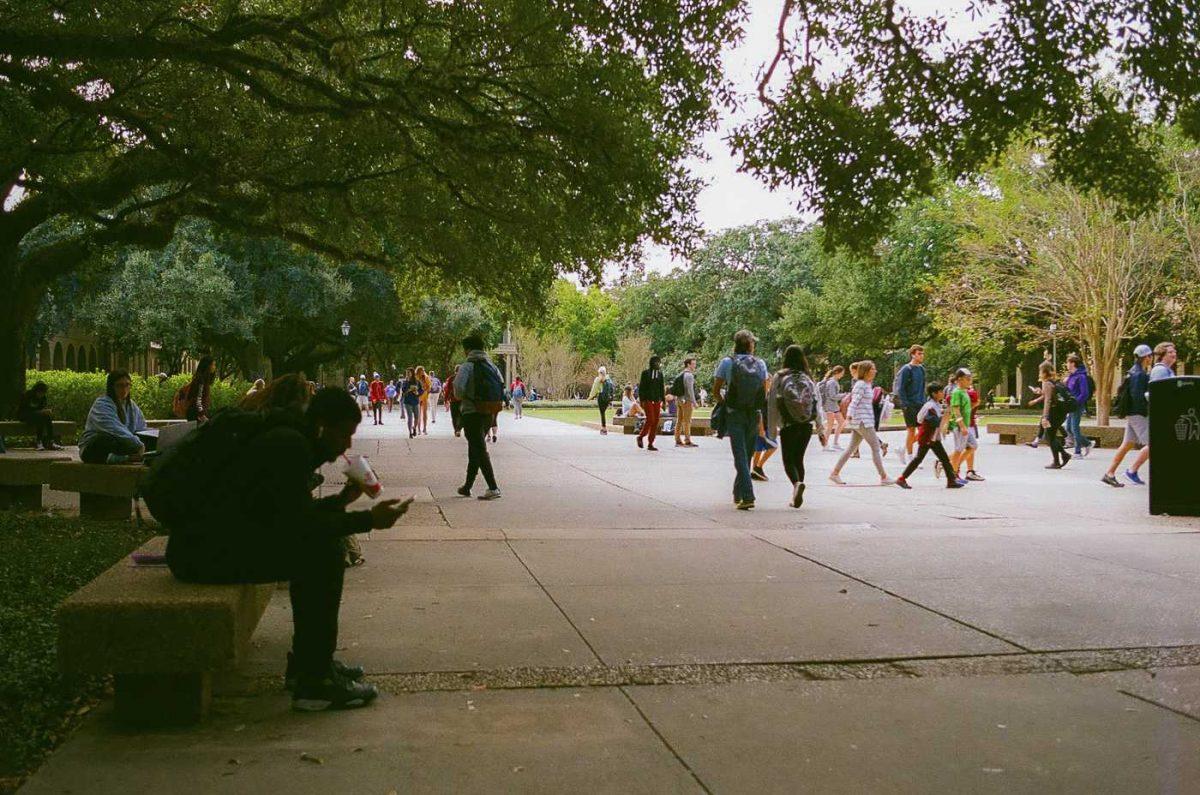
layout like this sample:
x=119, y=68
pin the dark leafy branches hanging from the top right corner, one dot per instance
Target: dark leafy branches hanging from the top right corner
x=867, y=106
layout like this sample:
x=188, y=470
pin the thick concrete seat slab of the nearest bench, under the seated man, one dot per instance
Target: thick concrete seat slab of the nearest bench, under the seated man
x=142, y=620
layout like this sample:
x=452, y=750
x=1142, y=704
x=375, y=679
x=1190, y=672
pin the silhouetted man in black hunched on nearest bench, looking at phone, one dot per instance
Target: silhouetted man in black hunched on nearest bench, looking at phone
x=272, y=530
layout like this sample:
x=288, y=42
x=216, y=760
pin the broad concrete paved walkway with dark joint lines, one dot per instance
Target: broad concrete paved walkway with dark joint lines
x=615, y=625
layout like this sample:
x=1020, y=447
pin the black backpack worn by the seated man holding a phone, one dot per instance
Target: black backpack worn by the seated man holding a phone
x=181, y=486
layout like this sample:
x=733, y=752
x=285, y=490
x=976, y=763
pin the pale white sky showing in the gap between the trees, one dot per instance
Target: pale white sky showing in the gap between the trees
x=733, y=199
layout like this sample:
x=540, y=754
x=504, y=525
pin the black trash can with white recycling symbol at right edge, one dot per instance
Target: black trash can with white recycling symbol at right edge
x=1175, y=446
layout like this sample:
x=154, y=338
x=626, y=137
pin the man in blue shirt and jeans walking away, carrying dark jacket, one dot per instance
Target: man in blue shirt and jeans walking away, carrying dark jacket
x=739, y=388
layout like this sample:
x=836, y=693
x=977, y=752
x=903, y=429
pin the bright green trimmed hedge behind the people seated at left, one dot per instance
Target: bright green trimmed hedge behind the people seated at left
x=73, y=393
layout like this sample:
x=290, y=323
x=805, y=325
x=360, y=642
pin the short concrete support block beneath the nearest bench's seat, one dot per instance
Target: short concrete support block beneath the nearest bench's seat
x=163, y=700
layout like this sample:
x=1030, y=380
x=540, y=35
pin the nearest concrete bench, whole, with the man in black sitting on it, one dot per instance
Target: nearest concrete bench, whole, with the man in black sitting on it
x=161, y=639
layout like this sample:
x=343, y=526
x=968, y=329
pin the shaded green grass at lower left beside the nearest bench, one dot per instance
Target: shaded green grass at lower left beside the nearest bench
x=44, y=559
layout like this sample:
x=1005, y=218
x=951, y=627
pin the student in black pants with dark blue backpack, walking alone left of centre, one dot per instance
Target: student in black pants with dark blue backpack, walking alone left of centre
x=481, y=387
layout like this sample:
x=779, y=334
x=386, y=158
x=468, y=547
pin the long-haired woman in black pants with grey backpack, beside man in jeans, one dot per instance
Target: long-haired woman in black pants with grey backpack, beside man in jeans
x=795, y=408
